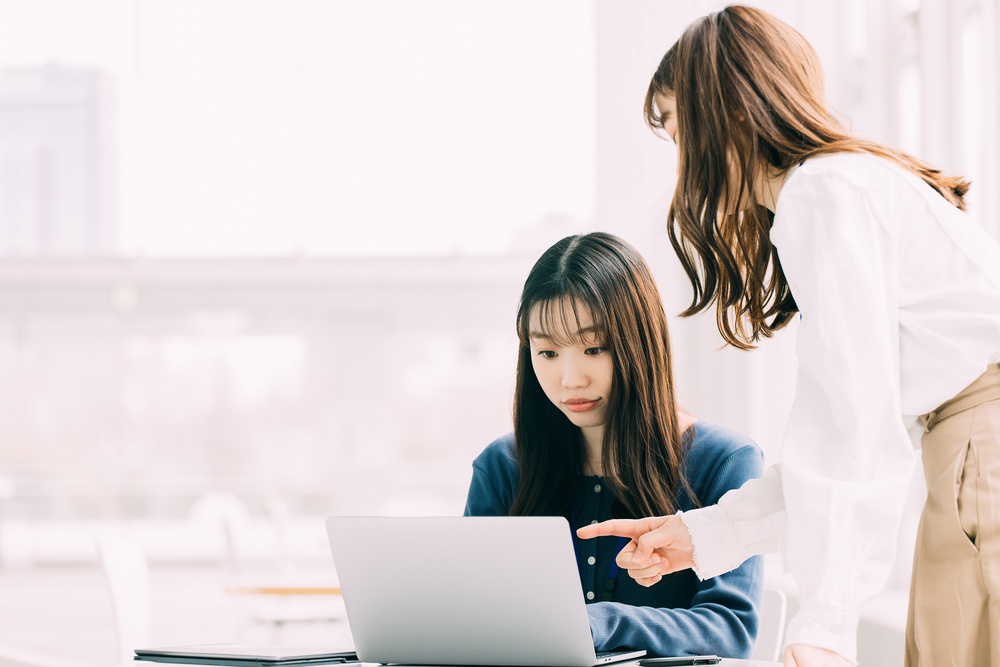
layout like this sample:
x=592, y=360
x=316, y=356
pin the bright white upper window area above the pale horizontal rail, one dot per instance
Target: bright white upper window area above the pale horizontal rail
x=304, y=128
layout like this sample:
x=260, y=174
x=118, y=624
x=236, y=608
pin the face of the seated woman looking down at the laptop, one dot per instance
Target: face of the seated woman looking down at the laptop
x=574, y=368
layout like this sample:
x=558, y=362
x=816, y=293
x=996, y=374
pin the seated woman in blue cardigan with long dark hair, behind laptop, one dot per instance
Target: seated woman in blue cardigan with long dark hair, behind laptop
x=598, y=435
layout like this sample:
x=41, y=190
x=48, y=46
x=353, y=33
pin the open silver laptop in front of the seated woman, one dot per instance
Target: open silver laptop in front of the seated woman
x=464, y=591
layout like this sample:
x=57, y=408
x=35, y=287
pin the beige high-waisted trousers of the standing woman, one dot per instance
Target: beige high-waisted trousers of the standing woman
x=954, y=615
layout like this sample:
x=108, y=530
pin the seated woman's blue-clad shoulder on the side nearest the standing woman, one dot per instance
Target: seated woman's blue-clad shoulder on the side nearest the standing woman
x=720, y=458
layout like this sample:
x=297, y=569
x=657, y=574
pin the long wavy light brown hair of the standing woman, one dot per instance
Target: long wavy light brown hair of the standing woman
x=749, y=95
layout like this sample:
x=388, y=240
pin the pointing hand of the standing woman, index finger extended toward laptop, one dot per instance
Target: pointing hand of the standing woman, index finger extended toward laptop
x=658, y=546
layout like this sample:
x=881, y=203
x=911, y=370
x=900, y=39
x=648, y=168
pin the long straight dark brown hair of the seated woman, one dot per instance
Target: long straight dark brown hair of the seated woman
x=643, y=449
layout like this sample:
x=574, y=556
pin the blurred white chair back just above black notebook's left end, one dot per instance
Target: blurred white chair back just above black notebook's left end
x=127, y=575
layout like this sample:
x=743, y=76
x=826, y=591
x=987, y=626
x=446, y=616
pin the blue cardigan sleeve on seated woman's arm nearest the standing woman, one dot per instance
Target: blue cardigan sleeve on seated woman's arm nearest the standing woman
x=723, y=615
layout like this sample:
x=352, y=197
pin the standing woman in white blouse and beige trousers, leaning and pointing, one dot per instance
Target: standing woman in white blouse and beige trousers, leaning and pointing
x=780, y=213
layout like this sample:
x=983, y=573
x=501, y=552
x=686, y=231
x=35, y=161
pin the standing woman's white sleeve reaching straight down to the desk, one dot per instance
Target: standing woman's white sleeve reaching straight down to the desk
x=846, y=459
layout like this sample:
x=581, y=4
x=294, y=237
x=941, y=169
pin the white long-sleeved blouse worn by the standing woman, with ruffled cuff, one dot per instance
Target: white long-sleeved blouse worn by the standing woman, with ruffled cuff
x=899, y=296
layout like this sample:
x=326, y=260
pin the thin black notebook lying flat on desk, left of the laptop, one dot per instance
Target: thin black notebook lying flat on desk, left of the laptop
x=245, y=655
